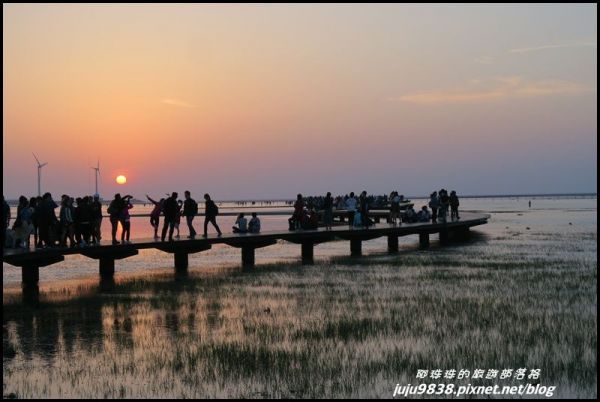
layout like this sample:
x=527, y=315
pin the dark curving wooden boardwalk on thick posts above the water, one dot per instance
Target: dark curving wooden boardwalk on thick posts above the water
x=31, y=260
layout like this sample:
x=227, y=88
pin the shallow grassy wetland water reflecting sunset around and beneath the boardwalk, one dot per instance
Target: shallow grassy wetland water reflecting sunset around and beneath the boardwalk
x=520, y=293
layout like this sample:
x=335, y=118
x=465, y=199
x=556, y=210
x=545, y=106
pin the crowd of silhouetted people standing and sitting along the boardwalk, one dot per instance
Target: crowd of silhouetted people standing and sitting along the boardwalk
x=79, y=220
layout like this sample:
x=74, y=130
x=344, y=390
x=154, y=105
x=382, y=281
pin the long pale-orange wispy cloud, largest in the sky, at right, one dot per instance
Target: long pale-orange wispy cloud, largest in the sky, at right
x=495, y=89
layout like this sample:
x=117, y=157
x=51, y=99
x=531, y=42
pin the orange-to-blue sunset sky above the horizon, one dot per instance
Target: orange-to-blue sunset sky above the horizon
x=265, y=101
